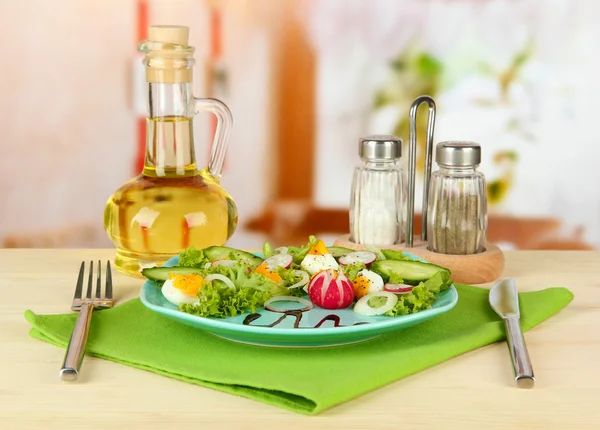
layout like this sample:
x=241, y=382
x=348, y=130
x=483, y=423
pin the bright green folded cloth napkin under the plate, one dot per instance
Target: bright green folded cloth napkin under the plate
x=303, y=380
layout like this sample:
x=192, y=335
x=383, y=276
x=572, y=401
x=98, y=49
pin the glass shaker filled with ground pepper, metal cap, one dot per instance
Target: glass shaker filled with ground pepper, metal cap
x=457, y=204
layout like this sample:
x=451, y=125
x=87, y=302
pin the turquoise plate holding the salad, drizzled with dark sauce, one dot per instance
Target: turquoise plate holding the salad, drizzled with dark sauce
x=352, y=327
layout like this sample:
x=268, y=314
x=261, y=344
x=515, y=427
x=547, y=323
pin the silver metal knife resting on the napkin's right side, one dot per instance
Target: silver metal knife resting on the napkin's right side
x=505, y=301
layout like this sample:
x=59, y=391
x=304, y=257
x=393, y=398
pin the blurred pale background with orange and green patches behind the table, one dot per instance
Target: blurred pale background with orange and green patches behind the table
x=304, y=80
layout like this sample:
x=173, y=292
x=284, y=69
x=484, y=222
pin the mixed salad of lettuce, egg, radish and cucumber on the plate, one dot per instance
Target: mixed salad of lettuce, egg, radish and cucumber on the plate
x=221, y=282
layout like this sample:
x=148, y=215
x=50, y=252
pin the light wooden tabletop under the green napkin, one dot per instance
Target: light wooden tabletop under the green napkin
x=474, y=390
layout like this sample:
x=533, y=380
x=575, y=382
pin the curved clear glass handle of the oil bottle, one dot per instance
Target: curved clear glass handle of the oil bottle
x=218, y=149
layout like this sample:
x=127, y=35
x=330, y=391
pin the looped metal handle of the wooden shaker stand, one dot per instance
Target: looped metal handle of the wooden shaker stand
x=412, y=159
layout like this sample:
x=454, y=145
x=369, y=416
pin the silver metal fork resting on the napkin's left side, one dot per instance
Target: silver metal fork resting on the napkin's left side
x=85, y=306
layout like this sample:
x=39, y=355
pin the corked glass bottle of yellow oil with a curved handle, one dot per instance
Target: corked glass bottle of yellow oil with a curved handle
x=172, y=204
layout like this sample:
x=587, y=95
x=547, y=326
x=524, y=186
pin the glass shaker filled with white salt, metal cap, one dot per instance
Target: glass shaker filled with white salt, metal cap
x=378, y=190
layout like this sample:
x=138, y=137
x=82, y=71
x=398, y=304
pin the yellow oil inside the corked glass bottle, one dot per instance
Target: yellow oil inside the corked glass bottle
x=170, y=206
